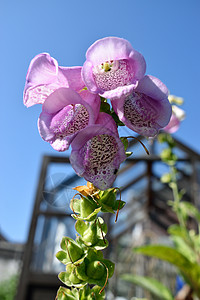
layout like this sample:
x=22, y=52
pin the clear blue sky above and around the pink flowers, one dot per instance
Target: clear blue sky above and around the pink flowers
x=167, y=33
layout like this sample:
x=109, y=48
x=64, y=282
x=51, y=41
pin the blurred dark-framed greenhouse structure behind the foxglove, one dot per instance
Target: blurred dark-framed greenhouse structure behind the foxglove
x=146, y=196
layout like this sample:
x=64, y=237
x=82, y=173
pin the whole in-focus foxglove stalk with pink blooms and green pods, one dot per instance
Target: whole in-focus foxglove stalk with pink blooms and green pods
x=75, y=113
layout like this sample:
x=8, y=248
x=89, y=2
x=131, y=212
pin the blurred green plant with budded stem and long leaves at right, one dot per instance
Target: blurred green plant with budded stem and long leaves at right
x=185, y=252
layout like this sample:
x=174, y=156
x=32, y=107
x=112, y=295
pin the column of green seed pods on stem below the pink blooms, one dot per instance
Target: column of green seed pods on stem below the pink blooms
x=83, y=258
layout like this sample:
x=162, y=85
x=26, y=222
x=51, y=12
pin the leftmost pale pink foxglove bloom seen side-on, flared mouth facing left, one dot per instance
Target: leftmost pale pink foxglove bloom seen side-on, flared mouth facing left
x=44, y=76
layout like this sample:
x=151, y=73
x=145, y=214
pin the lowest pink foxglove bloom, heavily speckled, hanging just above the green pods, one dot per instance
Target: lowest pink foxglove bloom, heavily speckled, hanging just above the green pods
x=97, y=153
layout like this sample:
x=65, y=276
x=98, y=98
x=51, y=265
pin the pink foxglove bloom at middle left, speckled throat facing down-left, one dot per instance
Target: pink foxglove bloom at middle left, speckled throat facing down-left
x=64, y=114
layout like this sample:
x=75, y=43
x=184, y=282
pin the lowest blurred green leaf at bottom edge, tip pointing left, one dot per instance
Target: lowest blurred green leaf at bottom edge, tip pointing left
x=150, y=284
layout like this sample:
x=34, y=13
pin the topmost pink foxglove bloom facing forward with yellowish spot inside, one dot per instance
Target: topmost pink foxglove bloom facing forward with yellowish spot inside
x=112, y=67
